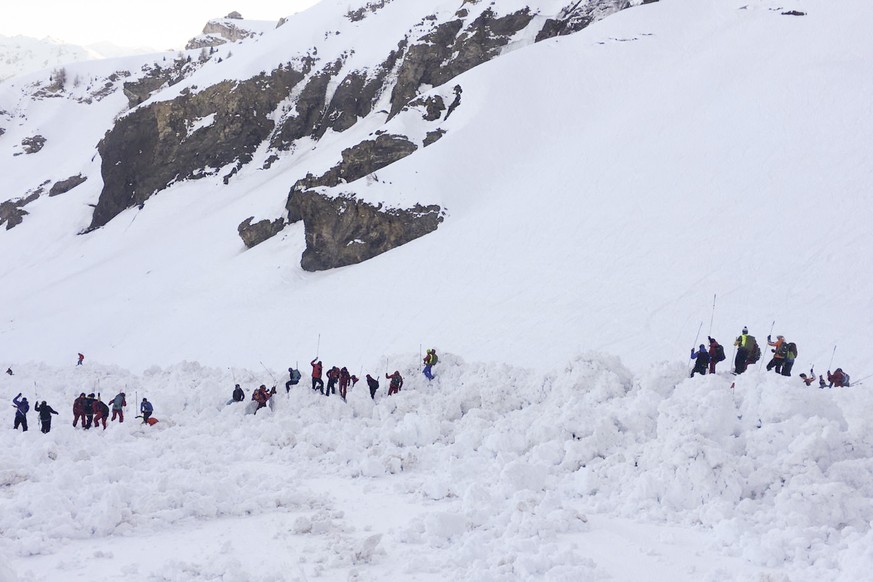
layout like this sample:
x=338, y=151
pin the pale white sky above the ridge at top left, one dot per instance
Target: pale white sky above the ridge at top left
x=160, y=24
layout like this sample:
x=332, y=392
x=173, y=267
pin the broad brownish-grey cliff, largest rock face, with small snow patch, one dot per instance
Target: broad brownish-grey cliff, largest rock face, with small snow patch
x=151, y=147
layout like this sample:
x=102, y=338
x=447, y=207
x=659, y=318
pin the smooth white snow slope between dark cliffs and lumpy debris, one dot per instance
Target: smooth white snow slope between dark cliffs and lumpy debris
x=566, y=195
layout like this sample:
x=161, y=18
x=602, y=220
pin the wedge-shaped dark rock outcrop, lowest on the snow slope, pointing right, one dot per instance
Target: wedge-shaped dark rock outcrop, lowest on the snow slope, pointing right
x=345, y=231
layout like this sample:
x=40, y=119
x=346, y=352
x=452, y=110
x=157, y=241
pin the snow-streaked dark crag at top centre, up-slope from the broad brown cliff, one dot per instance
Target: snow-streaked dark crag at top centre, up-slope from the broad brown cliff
x=446, y=52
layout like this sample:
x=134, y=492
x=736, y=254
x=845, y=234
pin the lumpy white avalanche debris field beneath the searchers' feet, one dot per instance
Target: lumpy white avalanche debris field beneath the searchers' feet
x=506, y=462
